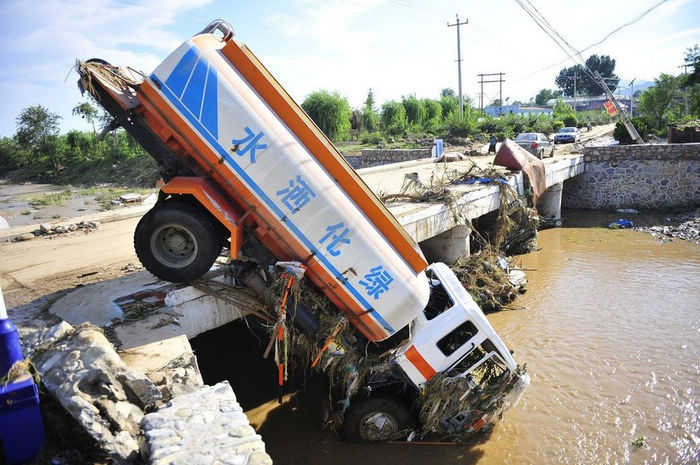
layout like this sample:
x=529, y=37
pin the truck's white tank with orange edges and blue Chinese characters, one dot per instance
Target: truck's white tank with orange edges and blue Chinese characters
x=213, y=101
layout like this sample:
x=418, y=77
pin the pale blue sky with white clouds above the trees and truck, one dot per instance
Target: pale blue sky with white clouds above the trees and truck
x=395, y=47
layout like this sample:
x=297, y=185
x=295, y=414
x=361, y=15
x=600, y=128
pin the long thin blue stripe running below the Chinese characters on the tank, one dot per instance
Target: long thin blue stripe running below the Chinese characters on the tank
x=212, y=140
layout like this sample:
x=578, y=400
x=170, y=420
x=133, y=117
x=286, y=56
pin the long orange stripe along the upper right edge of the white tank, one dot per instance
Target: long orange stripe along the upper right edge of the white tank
x=322, y=149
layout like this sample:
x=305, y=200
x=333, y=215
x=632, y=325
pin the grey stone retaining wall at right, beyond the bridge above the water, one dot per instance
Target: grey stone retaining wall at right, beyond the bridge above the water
x=637, y=176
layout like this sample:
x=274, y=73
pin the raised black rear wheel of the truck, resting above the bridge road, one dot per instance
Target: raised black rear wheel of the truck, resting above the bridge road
x=177, y=241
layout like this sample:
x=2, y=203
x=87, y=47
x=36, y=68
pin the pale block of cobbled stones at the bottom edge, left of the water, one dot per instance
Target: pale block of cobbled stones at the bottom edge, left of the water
x=207, y=426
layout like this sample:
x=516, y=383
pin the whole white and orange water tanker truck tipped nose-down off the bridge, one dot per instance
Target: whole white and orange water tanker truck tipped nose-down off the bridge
x=246, y=169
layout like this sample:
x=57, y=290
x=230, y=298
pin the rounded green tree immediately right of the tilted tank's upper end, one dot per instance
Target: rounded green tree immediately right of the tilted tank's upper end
x=330, y=112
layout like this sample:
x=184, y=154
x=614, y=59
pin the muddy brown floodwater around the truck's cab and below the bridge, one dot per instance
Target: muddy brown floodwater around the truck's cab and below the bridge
x=610, y=332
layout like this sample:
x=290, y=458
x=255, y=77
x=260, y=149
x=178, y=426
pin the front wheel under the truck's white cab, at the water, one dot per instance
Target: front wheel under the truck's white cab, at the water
x=376, y=419
